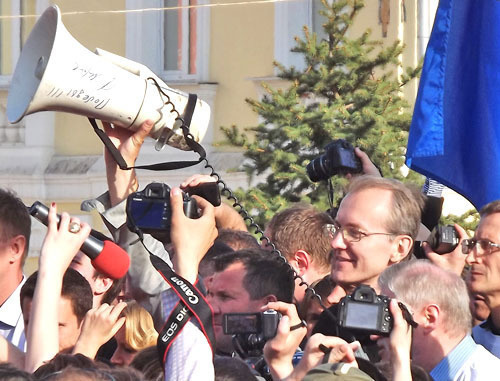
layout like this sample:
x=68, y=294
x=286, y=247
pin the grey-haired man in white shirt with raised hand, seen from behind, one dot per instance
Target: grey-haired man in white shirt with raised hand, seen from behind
x=442, y=343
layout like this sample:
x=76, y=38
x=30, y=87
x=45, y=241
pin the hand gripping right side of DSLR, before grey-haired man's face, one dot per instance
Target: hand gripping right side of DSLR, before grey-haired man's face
x=395, y=349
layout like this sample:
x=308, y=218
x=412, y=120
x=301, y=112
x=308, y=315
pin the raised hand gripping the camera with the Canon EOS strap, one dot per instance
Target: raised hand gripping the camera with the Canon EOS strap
x=191, y=237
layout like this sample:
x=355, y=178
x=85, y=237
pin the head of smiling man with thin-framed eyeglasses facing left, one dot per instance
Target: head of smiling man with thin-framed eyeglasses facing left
x=375, y=227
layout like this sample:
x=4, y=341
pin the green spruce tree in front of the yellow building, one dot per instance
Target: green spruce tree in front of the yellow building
x=348, y=89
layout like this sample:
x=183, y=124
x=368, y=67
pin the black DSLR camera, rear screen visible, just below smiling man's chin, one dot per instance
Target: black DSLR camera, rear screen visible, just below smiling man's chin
x=365, y=311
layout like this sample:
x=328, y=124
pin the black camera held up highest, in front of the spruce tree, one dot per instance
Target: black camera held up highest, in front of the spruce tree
x=339, y=158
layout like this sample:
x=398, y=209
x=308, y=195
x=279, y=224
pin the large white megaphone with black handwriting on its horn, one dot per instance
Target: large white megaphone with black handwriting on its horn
x=56, y=73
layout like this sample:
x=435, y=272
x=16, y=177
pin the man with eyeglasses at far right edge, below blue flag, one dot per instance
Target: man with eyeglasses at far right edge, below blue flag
x=483, y=257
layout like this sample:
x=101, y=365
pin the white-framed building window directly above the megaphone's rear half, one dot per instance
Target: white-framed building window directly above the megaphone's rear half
x=180, y=51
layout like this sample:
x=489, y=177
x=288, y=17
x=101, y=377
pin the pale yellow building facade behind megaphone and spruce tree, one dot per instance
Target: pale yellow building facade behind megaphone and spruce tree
x=221, y=50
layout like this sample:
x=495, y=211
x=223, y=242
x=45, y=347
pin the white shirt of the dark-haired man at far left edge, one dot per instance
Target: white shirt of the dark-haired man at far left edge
x=11, y=319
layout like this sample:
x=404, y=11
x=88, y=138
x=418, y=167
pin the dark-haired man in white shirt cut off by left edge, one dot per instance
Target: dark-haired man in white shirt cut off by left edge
x=15, y=228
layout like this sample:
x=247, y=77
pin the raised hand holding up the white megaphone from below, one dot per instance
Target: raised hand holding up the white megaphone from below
x=121, y=183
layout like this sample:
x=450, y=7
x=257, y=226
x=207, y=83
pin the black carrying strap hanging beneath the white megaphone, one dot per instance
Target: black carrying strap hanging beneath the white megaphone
x=184, y=123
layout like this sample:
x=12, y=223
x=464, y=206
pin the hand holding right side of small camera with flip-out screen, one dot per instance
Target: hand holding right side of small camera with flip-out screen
x=279, y=351
